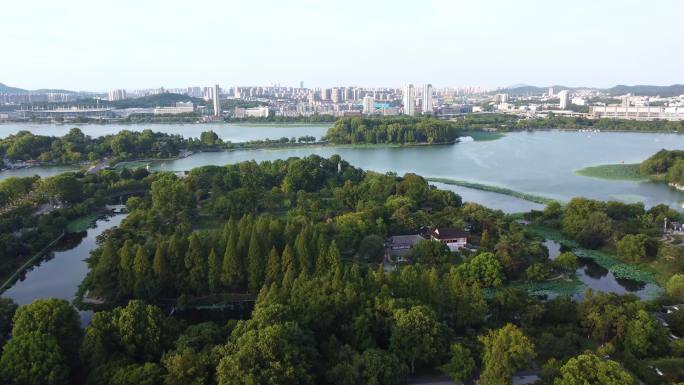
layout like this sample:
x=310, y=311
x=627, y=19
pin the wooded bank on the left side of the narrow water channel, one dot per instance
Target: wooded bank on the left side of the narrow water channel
x=39, y=210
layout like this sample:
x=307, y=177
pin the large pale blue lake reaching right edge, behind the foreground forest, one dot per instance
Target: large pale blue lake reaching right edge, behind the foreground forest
x=540, y=163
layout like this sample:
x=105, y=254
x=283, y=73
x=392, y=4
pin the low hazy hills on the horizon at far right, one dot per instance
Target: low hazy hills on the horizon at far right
x=640, y=90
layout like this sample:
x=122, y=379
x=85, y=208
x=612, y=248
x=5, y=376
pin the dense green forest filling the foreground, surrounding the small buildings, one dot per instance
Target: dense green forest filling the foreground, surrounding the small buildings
x=301, y=241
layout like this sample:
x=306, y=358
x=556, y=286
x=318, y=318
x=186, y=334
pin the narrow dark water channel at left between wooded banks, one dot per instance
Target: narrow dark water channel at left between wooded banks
x=59, y=275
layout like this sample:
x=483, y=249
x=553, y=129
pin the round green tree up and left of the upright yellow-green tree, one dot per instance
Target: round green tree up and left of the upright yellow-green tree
x=416, y=336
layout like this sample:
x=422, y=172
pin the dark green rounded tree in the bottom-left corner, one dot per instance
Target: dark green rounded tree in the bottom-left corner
x=33, y=358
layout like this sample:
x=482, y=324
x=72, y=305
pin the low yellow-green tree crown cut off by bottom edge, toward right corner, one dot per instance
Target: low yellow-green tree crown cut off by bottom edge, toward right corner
x=589, y=369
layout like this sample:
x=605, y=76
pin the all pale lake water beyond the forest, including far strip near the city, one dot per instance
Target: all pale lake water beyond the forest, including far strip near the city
x=536, y=162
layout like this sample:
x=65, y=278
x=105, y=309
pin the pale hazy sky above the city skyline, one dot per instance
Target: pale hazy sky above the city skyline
x=104, y=44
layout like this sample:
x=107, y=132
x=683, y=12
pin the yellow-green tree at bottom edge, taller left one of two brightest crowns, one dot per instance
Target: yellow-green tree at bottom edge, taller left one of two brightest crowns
x=506, y=350
